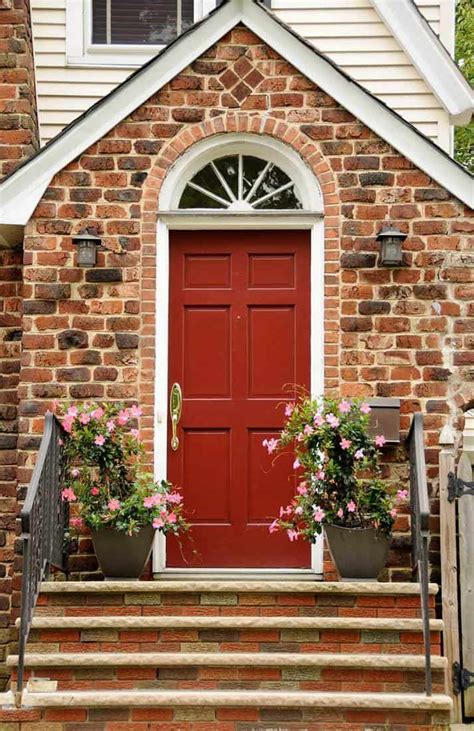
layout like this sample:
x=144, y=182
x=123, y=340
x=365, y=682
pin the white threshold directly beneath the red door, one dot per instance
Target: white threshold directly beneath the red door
x=237, y=575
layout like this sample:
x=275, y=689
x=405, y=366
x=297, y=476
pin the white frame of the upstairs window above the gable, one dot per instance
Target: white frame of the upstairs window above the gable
x=80, y=51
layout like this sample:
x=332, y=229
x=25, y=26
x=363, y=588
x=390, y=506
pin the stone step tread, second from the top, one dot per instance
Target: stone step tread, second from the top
x=124, y=622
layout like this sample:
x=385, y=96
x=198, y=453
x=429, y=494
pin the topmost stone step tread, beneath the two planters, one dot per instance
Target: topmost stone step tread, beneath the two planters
x=234, y=587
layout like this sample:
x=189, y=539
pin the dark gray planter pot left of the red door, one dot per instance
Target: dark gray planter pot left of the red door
x=121, y=556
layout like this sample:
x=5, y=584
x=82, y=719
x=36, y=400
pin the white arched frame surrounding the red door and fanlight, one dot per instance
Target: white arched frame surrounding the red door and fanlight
x=311, y=218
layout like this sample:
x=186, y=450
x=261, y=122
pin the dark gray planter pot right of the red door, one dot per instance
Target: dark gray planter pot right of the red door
x=360, y=554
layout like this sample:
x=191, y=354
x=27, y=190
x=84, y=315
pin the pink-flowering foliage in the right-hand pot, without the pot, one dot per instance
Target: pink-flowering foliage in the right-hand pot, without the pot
x=341, y=480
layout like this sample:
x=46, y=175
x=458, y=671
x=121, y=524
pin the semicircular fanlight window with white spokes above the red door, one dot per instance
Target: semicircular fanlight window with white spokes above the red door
x=241, y=182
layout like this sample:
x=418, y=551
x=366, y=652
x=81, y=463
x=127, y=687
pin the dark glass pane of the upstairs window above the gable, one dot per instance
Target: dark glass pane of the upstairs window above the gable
x=139, y=22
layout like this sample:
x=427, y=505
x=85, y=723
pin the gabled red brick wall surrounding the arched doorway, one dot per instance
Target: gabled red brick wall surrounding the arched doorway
x=404, y=332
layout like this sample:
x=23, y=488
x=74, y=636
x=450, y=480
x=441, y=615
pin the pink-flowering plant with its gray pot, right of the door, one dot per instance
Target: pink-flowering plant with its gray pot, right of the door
x=340, y=489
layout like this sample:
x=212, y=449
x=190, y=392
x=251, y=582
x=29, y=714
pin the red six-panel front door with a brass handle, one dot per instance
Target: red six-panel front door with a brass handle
x=239, y=331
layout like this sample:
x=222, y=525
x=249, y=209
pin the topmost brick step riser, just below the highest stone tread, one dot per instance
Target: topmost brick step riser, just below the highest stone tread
x=182, y=604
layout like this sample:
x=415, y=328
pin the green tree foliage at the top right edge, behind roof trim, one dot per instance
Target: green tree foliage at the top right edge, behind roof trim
x=464, y=136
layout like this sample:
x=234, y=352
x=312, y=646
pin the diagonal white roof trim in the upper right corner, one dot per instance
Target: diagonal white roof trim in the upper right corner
x=429, y=57
